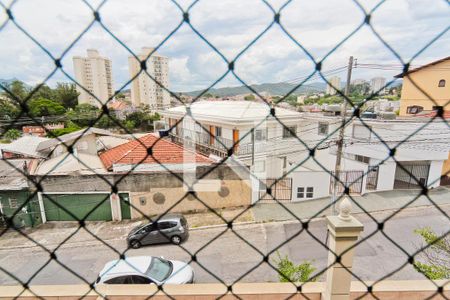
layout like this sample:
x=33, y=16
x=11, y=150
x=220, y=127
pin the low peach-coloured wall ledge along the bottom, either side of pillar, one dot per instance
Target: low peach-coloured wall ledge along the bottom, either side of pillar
x=391, y=290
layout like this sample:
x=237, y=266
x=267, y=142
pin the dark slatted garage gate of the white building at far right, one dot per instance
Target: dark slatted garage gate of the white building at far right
x=411, y=175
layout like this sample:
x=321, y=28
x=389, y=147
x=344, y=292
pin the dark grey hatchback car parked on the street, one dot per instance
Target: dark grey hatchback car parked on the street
x=171, y=228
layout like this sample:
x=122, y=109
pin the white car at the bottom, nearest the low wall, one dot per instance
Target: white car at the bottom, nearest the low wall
x=145, y=270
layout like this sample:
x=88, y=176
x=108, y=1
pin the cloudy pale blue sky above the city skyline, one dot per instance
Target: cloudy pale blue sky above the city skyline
x=318, y=26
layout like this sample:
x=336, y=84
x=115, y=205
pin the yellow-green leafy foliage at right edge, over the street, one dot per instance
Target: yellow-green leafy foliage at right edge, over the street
x=436, y=257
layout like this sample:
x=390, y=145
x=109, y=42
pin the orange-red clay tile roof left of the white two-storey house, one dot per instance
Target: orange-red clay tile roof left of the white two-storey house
x=135, y=152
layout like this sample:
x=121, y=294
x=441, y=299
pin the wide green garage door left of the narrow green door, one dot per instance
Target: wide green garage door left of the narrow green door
x=73, y=207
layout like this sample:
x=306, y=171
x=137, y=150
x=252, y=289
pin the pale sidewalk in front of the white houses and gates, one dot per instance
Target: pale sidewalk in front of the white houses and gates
x=371, y=202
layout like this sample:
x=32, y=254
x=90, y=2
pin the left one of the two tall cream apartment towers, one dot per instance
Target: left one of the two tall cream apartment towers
x=95, y=75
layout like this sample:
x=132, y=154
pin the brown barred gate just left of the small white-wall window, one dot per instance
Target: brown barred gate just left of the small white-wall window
x=279, y=190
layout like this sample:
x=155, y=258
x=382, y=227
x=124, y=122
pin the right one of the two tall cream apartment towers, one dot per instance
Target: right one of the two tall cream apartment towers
x=144, y=90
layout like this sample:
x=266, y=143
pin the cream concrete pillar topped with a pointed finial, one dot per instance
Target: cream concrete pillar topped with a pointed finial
x=344, y=231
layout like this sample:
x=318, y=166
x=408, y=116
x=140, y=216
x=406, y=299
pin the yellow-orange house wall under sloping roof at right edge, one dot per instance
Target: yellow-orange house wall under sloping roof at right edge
x=426, y=88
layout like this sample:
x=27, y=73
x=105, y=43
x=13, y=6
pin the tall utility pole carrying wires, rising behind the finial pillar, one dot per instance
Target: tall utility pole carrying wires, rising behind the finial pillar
x=340, y=141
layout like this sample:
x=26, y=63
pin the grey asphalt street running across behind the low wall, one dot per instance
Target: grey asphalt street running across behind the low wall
x=227, y=255
